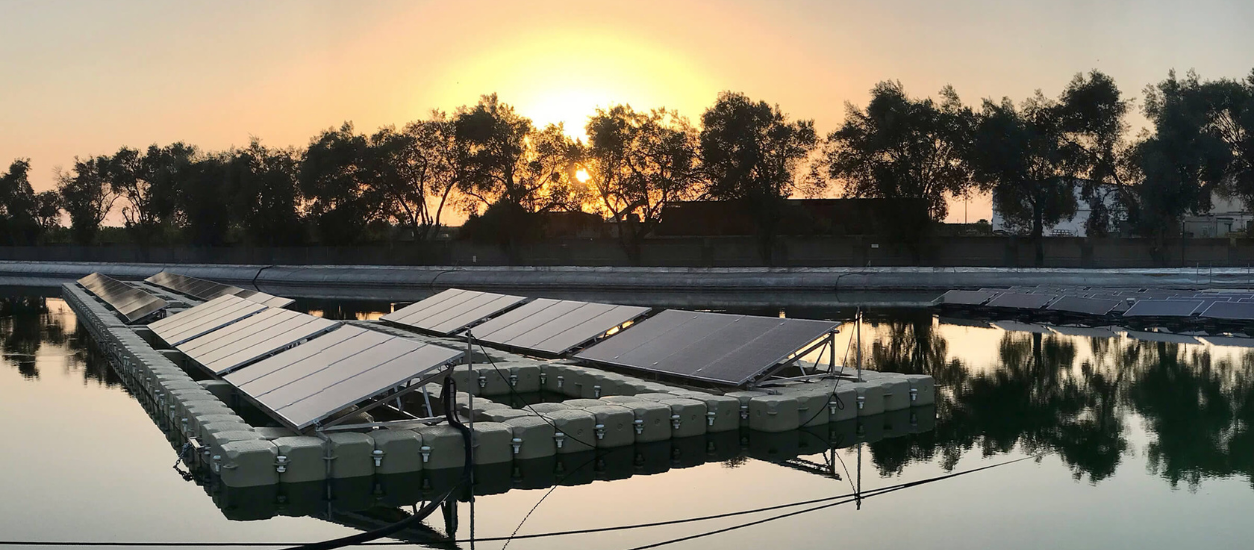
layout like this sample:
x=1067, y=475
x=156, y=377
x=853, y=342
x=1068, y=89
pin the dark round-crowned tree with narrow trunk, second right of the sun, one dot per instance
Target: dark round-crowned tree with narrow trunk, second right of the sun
x=751, y=153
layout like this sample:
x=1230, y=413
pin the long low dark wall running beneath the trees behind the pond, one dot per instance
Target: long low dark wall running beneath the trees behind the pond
x=692, y=252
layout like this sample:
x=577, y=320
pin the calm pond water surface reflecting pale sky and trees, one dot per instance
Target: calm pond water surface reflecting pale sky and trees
x=1133, y=444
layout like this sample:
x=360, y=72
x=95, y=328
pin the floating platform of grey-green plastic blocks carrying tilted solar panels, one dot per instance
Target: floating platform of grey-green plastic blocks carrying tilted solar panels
x=600, y=413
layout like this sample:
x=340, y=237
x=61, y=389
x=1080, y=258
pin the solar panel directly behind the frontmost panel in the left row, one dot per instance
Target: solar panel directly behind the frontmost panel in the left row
x=254, y=338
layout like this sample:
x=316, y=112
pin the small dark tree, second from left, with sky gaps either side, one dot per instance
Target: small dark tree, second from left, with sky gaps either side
x=87, y=197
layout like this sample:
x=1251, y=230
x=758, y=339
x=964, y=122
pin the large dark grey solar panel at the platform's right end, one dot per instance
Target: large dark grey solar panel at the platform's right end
x=714, y=348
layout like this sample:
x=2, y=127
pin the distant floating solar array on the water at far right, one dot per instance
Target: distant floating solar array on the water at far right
x=1129, y=303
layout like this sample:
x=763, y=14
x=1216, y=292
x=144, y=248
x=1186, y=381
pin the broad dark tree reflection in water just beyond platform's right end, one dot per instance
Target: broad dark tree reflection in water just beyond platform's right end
x=1035, y=402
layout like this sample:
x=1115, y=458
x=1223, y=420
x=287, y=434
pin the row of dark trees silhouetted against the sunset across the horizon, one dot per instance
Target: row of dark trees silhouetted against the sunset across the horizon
x=490, y=162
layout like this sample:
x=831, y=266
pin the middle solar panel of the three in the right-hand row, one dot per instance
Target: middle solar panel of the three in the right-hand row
x=555, y=326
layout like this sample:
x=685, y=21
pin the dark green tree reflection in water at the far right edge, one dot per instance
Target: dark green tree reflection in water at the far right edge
x=1199, y=413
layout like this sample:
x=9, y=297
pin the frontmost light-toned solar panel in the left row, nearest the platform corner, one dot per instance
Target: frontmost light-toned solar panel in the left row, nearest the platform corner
x=313, y=381
